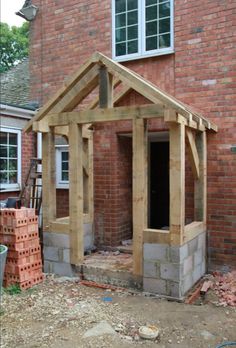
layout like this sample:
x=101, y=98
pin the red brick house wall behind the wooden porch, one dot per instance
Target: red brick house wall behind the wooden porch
x=201, y=73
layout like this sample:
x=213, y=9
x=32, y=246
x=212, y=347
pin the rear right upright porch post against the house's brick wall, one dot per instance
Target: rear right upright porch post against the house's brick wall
x=200, y=185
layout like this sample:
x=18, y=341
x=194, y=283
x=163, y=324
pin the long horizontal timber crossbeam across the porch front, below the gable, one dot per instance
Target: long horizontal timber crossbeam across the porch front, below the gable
x=105, y=115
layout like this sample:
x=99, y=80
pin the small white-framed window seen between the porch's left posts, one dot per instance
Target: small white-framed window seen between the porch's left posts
x=62, y=166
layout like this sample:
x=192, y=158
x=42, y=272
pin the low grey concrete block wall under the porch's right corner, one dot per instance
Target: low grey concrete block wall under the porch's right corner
x=173, y=270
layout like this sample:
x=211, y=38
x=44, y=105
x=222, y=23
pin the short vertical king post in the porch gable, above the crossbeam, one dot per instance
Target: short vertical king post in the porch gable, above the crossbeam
x=105, y=88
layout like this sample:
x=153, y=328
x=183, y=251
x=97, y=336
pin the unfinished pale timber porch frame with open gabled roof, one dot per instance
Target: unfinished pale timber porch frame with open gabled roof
x=115, y=81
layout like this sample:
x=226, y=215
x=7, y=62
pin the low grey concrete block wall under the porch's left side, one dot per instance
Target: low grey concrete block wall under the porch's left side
x=56, y=251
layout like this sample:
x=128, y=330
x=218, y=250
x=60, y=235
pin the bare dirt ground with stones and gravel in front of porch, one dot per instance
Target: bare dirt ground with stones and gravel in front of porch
x=59, y=312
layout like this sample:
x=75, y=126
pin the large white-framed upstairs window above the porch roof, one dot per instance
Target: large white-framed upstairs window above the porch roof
x=142, y=28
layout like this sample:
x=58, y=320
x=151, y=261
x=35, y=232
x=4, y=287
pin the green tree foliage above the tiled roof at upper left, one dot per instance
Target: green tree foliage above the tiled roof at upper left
x=14, y=45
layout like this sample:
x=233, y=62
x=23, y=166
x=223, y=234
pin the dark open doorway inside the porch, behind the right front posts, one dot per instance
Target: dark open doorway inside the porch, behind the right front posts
x=159, y=185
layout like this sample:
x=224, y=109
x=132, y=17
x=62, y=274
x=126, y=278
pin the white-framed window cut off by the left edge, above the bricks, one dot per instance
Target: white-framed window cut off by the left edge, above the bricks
x=10, y=159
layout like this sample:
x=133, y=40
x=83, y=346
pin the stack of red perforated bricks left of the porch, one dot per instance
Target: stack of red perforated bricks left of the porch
x=19, y=232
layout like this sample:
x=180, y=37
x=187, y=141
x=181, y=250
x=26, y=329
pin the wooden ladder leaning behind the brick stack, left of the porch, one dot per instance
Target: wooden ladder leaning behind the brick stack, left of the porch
x=31, y=193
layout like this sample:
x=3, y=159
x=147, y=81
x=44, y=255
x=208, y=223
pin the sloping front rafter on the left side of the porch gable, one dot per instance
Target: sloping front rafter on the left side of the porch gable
x=68, y=84
